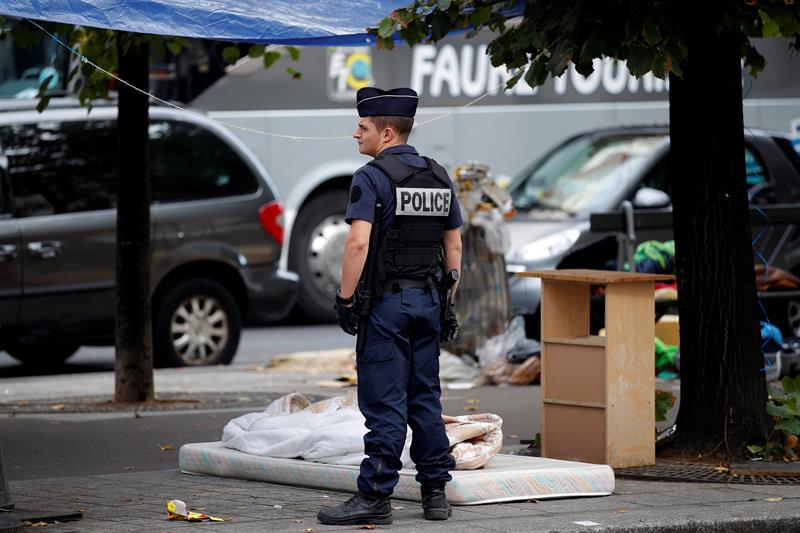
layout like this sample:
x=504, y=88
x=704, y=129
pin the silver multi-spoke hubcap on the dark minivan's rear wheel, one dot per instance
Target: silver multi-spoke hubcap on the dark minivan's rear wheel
x=199, y=329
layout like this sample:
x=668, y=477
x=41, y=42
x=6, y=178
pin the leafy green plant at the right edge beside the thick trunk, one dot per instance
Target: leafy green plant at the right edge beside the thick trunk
x=782, y=406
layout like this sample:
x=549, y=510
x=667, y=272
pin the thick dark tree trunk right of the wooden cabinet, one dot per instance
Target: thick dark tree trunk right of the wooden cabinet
x=723, y=390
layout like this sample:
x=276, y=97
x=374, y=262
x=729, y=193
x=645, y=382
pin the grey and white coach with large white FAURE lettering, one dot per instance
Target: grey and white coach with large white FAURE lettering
x=505, y=130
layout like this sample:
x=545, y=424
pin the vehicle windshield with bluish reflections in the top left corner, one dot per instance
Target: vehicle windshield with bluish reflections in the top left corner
x=23, y=69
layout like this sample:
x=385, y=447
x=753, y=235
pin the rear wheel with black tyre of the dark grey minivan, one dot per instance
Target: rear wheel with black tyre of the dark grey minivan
x=197, y=323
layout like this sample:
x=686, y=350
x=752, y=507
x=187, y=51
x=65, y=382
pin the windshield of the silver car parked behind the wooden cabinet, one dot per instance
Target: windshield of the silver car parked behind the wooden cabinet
x=585, y=173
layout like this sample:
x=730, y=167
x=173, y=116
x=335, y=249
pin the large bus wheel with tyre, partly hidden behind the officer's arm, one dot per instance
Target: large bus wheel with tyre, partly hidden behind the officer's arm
x=316, y=254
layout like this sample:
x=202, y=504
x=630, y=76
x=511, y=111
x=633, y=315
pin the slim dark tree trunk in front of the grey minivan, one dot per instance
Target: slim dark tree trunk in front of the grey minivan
x=134, y=357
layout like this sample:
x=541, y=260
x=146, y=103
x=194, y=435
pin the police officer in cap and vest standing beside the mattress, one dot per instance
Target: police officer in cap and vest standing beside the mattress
x=398, y=369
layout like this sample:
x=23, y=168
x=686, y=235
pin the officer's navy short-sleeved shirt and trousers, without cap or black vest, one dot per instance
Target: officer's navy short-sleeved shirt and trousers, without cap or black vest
x=398, y=371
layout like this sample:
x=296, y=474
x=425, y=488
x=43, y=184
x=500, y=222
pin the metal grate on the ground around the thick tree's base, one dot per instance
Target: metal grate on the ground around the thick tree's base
x=704, y=473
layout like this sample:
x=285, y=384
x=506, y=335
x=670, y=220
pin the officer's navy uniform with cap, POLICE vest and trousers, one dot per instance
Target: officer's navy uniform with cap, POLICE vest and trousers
x=398, y=369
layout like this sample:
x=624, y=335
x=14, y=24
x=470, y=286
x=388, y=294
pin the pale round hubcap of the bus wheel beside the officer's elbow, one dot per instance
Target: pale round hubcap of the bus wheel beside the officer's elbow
x=324, y=254
